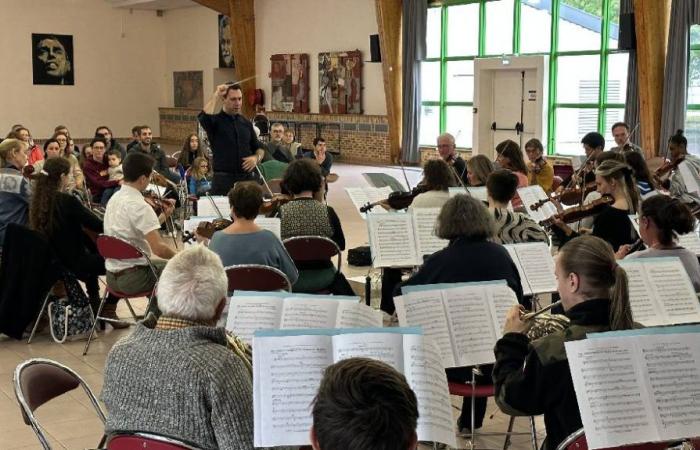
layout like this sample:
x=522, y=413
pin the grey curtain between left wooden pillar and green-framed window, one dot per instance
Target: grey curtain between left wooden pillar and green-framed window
x=415, y=13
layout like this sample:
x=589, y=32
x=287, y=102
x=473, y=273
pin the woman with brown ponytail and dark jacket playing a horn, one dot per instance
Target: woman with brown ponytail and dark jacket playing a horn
x=533, y=378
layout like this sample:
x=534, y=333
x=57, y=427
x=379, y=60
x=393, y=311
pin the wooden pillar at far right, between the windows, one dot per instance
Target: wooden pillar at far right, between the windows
x=652, y=19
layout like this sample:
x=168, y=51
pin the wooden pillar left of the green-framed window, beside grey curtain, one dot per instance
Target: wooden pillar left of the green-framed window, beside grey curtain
x=389, y=14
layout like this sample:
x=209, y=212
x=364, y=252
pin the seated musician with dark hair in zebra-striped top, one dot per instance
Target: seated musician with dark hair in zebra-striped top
x=511, y=227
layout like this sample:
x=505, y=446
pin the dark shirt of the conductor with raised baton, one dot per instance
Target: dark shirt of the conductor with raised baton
x=232, y=138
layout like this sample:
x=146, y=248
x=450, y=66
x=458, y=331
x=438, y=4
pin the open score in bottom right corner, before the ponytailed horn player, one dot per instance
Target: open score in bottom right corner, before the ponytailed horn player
x=637, y=386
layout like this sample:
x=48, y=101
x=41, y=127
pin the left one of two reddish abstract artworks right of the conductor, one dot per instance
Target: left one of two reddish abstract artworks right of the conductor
x=290, y=82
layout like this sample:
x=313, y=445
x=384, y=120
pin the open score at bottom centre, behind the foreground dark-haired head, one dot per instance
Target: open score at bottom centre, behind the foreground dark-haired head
x=288, y=367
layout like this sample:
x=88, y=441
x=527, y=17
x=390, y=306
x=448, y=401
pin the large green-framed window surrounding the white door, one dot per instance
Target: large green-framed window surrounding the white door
x=587, y=79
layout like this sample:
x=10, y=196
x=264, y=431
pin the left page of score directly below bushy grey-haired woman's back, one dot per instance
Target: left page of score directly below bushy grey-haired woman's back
x=426, y=309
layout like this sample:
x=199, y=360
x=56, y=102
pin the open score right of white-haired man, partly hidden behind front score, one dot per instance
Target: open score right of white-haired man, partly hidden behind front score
x=250, y=311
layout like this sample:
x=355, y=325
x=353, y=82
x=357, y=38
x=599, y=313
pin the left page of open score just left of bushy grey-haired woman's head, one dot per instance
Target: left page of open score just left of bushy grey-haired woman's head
x=391, y=240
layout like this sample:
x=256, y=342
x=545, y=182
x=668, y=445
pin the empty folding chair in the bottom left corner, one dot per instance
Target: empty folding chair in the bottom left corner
x=39, y=380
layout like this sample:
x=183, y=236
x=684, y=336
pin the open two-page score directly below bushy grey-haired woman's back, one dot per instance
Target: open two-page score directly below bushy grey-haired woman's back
x=464, y=320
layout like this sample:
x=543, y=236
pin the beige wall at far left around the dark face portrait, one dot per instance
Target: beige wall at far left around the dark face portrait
x=119, y=62
